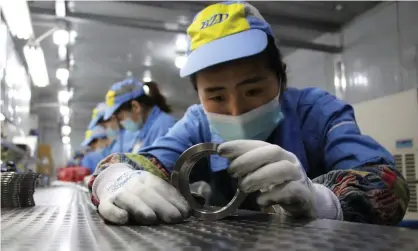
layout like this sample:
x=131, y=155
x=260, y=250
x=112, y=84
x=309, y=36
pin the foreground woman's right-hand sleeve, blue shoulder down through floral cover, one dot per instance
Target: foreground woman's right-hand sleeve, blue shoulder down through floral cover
x=361, y=172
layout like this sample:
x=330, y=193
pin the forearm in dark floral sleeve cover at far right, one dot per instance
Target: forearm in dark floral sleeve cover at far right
x=373, y=194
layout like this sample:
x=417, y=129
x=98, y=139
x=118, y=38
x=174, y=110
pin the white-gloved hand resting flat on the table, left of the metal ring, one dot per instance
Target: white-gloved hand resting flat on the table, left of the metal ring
x=142, y=196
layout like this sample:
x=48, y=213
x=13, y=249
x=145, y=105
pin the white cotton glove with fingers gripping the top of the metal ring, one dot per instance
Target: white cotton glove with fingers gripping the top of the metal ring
x=278, y=174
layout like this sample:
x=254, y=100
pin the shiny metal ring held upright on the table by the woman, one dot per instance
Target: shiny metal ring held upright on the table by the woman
x=180, y=180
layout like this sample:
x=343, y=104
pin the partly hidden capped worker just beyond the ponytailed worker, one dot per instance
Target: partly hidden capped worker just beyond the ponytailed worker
x=113, y=132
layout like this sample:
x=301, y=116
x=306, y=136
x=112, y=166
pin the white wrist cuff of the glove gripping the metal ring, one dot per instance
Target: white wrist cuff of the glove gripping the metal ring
x=327, y=204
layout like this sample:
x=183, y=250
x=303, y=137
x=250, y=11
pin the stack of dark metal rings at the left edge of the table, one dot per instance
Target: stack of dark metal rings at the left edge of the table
x=17, y=189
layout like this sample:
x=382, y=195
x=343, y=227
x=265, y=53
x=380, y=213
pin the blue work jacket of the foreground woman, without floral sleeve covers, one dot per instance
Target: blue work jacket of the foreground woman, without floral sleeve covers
x=318, y=128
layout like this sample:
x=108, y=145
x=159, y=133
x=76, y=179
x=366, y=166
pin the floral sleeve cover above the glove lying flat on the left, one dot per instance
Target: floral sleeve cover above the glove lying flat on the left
x=137, y=161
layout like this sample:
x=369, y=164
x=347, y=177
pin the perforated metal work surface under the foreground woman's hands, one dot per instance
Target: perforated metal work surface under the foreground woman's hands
x=64, y=219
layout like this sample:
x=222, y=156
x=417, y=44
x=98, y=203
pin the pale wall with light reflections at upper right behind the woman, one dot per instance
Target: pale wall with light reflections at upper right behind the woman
x=380, y=55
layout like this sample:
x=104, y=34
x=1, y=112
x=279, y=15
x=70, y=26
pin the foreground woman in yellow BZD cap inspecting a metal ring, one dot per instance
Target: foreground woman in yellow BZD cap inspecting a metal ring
x=298, y=150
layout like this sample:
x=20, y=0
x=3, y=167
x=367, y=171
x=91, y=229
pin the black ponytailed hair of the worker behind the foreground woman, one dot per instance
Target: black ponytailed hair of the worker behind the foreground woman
x=154, y=97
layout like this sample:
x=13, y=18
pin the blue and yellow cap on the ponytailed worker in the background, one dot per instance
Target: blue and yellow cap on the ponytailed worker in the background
x=120, y=93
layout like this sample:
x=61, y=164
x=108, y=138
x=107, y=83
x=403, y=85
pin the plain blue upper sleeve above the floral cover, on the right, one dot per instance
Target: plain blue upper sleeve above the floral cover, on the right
x=334, y=124
